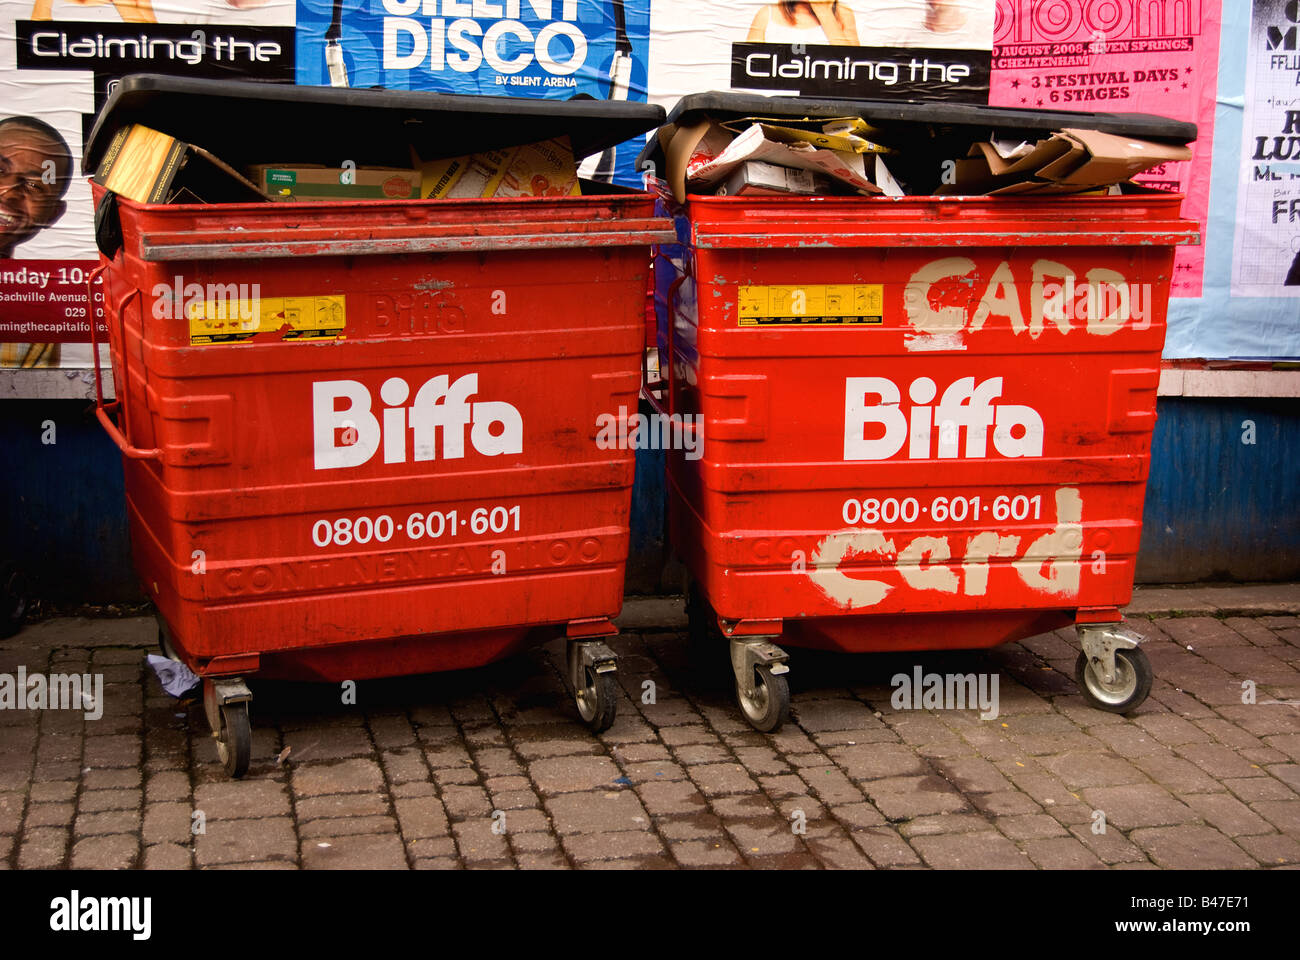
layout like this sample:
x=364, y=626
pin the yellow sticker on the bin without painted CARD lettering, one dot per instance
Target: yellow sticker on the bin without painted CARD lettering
x=240, y=319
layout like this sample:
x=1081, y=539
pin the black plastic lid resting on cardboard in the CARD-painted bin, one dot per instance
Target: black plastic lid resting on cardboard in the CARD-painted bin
x=898, y=115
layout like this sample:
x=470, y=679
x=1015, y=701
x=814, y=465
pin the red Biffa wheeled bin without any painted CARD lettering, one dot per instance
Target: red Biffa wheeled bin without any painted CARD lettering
x=404, y=477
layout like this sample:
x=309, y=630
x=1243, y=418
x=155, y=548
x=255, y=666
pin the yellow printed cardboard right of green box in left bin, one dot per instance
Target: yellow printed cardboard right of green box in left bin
x=532, y=170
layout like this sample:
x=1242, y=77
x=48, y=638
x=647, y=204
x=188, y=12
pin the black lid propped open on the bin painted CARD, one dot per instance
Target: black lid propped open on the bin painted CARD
x=926, y=129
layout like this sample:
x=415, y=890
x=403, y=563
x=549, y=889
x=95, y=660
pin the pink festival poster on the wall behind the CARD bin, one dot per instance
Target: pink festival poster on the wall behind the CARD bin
x=1120, y=57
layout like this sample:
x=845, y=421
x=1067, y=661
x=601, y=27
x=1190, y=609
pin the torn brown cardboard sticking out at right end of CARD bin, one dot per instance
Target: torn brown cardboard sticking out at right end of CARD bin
x=1069, y=162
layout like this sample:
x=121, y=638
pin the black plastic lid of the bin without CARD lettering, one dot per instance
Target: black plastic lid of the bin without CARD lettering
x=249, y=123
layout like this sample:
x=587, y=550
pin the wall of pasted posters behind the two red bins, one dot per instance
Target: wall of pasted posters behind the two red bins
x=1234, y=70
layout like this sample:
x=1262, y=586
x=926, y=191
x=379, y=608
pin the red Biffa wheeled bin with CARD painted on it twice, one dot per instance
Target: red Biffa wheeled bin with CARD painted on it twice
x=926, y=422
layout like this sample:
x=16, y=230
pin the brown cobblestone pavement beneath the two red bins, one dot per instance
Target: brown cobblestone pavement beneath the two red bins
x=422, y=769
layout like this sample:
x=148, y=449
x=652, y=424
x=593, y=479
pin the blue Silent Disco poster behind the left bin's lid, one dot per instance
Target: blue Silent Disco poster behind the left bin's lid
x=548, y=49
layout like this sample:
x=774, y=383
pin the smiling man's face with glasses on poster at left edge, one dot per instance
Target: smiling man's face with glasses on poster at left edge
x=34, y=171
